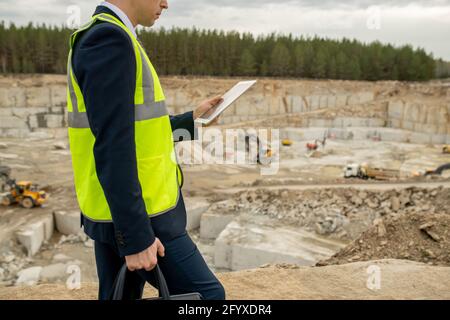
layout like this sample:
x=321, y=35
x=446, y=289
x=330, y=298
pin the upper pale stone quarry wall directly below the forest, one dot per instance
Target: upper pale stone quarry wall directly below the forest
x=35, y=105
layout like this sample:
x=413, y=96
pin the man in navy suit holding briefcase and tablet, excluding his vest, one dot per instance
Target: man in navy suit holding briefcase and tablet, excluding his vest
x=104, y=64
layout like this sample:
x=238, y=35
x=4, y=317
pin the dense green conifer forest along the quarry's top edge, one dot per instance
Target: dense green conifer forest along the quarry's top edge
x=179, y=51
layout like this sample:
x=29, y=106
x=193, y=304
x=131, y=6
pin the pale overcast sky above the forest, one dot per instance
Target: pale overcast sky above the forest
x=420, y=23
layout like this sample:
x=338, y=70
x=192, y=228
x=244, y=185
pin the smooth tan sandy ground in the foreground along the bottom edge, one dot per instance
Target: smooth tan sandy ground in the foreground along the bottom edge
x=397, y=280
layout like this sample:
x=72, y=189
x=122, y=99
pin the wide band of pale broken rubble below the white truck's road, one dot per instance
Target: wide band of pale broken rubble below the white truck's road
x=342, y=213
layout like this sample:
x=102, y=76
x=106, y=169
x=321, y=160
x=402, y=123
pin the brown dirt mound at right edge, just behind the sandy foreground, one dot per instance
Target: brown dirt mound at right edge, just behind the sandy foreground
x=416, y=236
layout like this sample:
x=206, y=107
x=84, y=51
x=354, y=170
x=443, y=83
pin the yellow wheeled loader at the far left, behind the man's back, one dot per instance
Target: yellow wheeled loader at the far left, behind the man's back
x=25, y=193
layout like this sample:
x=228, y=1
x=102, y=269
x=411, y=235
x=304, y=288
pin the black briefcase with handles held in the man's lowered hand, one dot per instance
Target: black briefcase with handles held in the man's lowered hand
x=119, y=284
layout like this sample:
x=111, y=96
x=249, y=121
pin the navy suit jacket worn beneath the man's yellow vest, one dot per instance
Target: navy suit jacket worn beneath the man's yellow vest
x=104, y=64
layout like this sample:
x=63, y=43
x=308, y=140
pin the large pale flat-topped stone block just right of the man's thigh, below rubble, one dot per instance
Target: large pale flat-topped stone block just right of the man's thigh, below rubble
x=245, y=245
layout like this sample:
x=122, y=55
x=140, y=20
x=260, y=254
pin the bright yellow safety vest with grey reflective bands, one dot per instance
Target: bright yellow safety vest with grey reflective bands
x=158, y=172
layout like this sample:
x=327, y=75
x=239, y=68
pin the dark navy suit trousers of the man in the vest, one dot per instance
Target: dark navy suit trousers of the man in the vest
x=183, y=267
